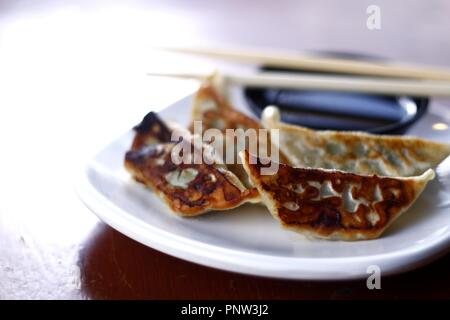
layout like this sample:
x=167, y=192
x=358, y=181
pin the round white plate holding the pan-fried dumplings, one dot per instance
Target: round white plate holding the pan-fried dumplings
x=248, y=240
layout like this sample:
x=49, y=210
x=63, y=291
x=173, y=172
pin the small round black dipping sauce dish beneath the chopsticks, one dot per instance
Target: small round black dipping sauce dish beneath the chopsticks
x=330, y=110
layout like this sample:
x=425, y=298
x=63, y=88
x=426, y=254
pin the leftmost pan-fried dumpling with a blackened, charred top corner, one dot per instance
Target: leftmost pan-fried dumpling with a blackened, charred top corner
x=188, y=189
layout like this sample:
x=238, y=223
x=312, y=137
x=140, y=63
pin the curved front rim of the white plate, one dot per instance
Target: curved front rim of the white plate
x=208, y=255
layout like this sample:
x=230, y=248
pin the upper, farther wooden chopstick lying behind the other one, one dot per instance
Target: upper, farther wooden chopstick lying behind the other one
x=315, y=63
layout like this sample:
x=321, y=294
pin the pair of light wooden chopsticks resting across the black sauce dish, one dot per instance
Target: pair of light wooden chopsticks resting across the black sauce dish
x=378, y=78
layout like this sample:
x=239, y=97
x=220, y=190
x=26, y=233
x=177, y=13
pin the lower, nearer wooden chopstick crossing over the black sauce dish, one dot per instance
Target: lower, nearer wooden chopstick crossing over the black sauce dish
x=329, y=83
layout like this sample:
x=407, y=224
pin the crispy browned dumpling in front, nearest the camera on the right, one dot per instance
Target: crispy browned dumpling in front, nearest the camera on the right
x=332, y=204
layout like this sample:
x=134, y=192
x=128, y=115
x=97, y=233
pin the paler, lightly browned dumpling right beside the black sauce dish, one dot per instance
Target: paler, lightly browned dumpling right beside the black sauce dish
x=355, y=152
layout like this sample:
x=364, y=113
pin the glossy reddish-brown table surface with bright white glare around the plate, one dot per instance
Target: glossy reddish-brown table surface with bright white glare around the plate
x=72, y=77
